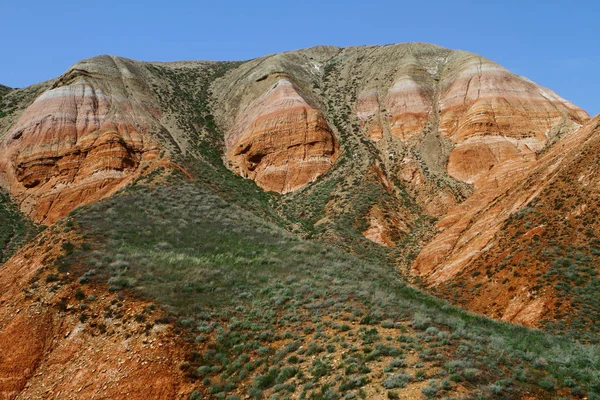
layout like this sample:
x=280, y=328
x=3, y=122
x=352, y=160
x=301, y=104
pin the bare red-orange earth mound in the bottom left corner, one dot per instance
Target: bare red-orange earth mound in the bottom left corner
x=48, y=351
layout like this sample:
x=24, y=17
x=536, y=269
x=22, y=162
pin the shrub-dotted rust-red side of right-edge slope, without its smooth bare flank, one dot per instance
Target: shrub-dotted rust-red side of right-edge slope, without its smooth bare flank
x=549, y=248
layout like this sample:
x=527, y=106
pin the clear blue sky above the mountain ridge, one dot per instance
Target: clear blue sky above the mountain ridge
x=555, y=43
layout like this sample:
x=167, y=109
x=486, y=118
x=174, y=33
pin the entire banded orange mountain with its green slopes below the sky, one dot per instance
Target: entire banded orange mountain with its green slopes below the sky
x=253, y=228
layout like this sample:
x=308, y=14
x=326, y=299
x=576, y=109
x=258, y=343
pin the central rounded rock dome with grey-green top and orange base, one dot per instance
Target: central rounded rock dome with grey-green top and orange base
x=276, y=132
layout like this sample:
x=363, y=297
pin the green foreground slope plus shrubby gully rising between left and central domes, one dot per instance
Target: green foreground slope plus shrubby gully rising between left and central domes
x=267, y=312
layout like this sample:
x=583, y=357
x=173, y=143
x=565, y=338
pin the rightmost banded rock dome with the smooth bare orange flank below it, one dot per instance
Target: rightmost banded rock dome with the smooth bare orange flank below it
x=498, y=121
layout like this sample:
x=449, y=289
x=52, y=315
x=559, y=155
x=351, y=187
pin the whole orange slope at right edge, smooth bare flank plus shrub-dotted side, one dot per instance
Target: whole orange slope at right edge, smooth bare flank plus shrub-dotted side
x=524, y=247
